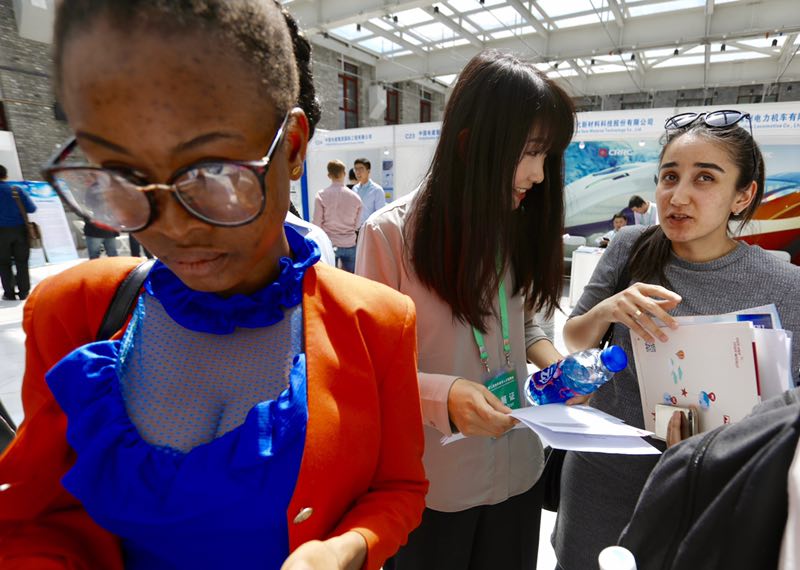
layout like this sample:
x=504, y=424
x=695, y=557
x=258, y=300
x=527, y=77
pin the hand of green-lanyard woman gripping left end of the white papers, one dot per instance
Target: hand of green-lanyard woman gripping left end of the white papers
x=474, y=410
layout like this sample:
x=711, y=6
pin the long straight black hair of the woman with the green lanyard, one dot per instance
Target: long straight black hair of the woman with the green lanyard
x=463, y=232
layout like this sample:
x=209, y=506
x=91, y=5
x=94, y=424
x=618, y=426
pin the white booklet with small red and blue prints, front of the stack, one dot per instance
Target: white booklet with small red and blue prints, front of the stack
x=710, y=366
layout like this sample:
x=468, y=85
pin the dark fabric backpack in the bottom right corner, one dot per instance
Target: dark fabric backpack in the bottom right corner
x=719, y=499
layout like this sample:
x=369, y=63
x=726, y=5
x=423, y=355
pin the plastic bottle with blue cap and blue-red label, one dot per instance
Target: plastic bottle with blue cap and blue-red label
x=577, y=375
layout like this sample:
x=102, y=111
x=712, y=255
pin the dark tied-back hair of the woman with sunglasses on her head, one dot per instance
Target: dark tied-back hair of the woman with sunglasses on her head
x=652, y=250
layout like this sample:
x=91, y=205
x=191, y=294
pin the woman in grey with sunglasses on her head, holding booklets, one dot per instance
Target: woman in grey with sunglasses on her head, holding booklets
x=710, y=181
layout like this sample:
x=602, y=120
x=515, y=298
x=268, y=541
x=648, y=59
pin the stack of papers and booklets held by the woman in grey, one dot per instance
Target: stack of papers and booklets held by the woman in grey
x=723, y=365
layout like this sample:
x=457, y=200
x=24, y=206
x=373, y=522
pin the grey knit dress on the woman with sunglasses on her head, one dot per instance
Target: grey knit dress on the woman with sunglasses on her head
x=599, y=491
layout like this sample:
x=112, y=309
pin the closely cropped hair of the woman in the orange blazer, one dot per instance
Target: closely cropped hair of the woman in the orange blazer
x=281, y=51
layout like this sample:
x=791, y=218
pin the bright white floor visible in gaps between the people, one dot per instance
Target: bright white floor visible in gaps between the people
x=12, y=355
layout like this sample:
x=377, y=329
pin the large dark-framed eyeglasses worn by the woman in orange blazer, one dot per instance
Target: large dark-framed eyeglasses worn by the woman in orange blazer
x=219, y=192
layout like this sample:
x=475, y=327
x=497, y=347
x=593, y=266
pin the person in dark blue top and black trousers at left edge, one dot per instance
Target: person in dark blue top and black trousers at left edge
x=14, y=246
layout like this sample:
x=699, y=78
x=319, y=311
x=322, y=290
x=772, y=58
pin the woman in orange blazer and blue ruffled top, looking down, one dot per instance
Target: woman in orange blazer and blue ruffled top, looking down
x=259, y=410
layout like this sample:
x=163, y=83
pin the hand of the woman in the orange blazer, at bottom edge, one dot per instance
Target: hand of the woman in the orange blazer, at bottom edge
x=345, y=552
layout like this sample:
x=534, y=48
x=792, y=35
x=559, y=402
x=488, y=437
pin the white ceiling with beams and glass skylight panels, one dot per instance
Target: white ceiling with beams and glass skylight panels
x=593, y=47
